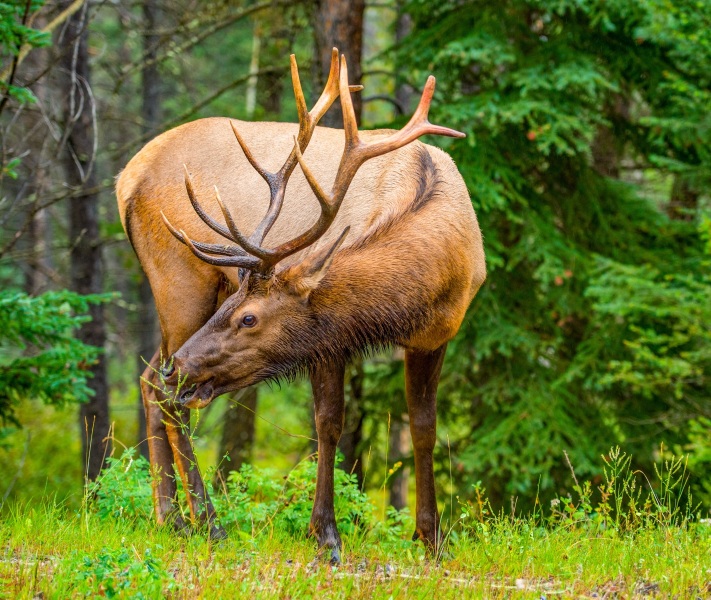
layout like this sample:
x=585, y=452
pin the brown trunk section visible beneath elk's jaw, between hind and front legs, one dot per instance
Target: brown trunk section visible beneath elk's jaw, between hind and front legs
x=238, y=432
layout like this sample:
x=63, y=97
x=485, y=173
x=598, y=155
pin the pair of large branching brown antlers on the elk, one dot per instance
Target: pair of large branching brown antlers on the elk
x=250, y=254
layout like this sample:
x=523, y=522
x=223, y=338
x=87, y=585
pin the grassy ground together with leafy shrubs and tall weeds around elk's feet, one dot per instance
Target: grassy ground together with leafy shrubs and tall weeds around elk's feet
x=638, y=538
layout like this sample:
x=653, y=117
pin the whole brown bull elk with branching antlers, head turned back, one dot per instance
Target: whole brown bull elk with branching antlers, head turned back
x=391, y=255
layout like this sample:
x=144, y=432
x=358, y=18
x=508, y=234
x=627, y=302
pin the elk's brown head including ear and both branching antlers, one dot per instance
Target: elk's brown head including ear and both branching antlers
x=270, y=327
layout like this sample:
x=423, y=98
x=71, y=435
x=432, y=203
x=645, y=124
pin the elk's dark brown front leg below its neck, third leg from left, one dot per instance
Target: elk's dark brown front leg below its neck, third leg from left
x=329, y=409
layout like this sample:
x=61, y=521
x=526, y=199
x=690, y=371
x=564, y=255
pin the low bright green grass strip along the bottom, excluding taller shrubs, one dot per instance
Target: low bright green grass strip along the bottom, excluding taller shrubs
x=49, y=551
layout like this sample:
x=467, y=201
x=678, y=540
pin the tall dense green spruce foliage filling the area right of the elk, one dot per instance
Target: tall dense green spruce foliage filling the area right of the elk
x=594, y=325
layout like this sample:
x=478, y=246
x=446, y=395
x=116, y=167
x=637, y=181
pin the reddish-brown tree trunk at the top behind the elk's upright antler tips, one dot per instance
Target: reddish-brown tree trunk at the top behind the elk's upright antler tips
x=339, y=24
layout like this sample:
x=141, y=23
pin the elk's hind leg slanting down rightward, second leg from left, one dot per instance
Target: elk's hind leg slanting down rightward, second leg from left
x=177, y=419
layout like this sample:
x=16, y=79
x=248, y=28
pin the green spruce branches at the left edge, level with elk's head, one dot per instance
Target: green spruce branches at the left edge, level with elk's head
x=39, y=356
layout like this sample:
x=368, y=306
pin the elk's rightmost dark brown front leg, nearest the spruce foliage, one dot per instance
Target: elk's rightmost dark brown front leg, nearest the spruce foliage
x=422, y=370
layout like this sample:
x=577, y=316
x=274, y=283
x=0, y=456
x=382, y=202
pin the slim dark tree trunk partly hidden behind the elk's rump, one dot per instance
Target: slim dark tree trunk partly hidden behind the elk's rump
x=151, y=117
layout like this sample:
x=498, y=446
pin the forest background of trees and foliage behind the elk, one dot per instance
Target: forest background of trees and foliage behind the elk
x=588, y=162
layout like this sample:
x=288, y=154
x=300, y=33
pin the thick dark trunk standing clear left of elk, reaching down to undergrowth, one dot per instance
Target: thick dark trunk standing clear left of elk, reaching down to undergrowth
x=85, y=255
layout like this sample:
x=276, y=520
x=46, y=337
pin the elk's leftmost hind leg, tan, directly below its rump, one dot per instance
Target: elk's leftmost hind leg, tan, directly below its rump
x=159, y=450
